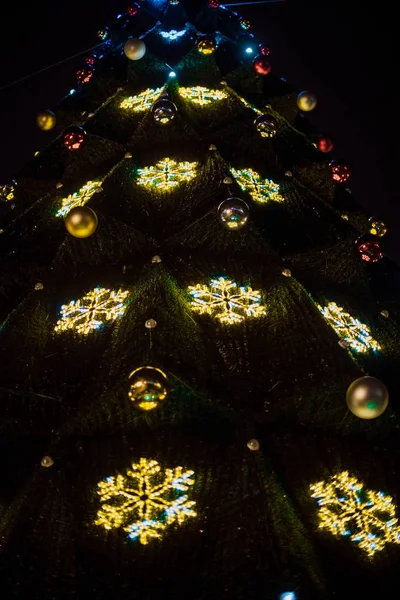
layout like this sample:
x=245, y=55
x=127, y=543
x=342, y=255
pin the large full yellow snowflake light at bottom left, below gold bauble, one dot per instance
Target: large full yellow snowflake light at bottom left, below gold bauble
x=145, y=501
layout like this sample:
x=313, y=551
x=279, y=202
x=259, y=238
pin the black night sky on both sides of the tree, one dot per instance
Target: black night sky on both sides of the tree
x=327, y=47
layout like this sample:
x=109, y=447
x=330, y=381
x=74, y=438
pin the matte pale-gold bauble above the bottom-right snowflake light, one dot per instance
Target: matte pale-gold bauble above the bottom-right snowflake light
x=367, y=397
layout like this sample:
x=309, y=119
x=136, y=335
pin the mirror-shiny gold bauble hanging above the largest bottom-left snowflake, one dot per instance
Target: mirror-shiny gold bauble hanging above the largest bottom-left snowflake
x=149, y=388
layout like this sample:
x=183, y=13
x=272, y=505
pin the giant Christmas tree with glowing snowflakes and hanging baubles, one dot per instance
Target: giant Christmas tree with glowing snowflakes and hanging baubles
x=199, y=335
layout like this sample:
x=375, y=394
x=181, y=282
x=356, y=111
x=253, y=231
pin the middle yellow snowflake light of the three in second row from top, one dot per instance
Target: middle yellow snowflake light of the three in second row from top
x=166, y=174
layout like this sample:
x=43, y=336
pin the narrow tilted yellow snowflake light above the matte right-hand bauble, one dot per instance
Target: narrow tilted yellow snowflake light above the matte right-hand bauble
x=355, y=333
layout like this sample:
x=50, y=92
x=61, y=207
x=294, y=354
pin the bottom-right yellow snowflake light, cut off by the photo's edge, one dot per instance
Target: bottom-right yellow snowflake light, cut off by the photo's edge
x=347, y=508
